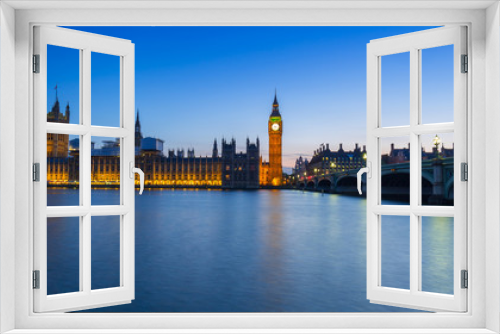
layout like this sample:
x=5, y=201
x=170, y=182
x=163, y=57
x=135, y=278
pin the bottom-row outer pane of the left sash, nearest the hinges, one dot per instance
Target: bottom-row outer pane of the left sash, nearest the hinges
x=63, y=255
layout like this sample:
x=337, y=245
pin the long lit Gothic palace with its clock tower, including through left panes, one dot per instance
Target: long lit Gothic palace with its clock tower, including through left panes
x=226, y=168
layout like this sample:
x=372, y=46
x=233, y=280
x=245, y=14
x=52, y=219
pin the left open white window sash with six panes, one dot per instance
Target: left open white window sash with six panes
x=86, y=297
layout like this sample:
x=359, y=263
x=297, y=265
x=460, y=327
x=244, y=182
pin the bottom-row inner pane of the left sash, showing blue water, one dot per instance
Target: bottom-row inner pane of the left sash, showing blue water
x=105, y=252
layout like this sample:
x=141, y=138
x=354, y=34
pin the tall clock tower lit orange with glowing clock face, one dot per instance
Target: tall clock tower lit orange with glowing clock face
x=275, y=130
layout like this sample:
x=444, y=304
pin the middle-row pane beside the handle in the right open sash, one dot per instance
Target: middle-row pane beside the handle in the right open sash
x=395, y=170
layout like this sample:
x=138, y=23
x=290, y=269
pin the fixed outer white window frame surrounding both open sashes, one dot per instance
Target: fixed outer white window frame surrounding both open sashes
x=482, y=19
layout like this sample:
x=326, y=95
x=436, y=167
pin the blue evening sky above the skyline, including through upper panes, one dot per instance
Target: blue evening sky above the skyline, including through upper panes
x=194, y=84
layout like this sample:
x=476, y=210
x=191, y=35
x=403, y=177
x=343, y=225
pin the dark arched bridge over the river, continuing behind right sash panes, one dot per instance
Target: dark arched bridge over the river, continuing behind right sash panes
x=437, y=181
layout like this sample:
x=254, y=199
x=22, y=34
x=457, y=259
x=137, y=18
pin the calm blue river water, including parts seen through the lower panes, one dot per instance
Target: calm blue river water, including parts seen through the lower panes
x=246, y=251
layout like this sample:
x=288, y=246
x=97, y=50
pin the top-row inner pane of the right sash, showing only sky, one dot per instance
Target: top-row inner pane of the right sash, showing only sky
x=395, y=90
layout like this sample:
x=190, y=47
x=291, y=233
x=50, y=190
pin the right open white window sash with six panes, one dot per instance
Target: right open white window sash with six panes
x=413, y=43
